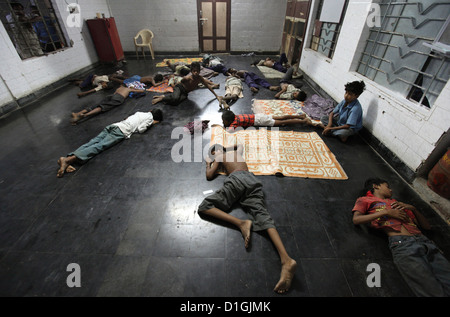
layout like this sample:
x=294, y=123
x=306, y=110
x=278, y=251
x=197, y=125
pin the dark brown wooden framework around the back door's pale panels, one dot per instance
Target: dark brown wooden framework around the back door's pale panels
x=214, y=27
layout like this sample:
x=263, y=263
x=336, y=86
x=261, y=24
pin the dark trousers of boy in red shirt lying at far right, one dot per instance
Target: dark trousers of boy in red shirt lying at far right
x=421, y=264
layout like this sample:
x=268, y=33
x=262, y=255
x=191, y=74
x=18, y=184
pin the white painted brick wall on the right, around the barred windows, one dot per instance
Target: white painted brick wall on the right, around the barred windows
x=409, y=131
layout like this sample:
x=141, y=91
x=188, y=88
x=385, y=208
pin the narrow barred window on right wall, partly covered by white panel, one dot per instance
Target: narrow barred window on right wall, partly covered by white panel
x=326, y=33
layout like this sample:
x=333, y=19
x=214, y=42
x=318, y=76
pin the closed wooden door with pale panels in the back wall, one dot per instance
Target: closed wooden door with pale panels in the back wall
x=214, y=18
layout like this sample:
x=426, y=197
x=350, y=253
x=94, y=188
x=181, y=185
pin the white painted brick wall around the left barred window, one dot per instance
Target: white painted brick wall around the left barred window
x=21, y=77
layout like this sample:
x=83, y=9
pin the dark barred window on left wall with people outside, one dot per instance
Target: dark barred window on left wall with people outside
x=32, y=26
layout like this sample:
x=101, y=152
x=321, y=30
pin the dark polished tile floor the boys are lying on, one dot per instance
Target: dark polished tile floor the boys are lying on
x=128, y=217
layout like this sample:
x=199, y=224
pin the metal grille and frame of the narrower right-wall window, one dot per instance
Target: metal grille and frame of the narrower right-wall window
x=326, y=34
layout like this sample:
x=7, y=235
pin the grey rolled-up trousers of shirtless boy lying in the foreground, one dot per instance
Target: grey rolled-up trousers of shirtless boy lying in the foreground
x=242, y=187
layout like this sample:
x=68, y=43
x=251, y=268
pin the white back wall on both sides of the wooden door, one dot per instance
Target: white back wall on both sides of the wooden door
x=255, y=25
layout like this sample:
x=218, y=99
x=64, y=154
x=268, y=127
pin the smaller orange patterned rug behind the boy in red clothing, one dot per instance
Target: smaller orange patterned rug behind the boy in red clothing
x=278, y=107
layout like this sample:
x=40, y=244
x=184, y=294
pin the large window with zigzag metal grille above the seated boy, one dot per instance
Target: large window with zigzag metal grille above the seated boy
x=396, y=54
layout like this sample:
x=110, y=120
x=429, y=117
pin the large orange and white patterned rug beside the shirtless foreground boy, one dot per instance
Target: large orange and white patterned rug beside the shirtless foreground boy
x=293, y=154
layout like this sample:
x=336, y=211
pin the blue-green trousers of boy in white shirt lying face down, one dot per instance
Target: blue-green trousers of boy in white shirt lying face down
x=111, y=135
